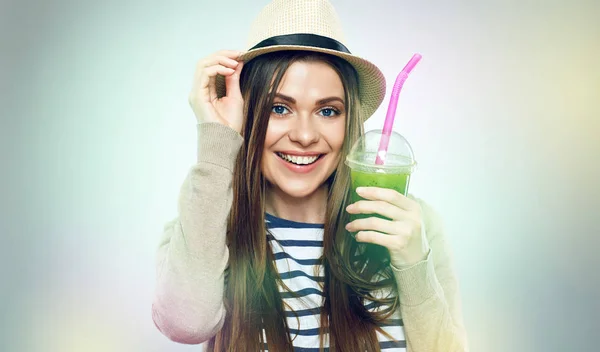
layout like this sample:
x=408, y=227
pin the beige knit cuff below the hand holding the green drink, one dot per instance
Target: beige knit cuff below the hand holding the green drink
x=417, y=283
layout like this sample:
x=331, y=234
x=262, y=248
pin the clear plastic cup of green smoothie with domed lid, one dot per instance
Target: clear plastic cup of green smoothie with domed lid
x=395, y=173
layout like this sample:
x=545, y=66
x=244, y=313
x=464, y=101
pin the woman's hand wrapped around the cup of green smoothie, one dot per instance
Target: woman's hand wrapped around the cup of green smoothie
x=402, y=235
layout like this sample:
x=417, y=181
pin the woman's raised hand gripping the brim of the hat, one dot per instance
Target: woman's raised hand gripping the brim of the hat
x=228, y=110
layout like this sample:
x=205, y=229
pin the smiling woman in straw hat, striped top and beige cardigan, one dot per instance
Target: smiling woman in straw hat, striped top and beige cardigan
x=260, y=256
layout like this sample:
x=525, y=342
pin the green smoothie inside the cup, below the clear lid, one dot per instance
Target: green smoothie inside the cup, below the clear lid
x=398, y=182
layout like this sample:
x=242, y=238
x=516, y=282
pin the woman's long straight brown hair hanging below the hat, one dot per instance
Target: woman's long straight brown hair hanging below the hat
x=353, y=271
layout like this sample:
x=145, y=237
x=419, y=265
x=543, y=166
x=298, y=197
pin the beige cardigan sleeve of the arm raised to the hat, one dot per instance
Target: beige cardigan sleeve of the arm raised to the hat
x=188, y=305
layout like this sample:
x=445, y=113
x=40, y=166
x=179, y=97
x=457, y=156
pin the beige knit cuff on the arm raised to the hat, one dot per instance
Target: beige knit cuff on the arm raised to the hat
x=218, y=144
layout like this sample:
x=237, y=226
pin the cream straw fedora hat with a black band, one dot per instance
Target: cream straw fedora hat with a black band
x=310, y=25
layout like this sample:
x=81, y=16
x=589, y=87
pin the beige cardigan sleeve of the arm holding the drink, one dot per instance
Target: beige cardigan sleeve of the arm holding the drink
x=429, y=295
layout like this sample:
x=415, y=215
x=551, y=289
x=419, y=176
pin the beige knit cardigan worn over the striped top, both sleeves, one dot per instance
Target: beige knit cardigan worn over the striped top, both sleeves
x=192, y=257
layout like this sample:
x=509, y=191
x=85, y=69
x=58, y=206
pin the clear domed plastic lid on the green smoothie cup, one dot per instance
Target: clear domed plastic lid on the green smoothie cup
x=398, y=159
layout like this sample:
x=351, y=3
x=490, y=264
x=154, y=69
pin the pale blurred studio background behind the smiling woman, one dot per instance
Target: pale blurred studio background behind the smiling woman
x=97, y=136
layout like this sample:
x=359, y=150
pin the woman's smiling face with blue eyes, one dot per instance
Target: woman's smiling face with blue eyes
x=306, y=129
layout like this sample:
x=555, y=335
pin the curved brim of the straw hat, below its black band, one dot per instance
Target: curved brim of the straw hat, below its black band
x=372, y=83
